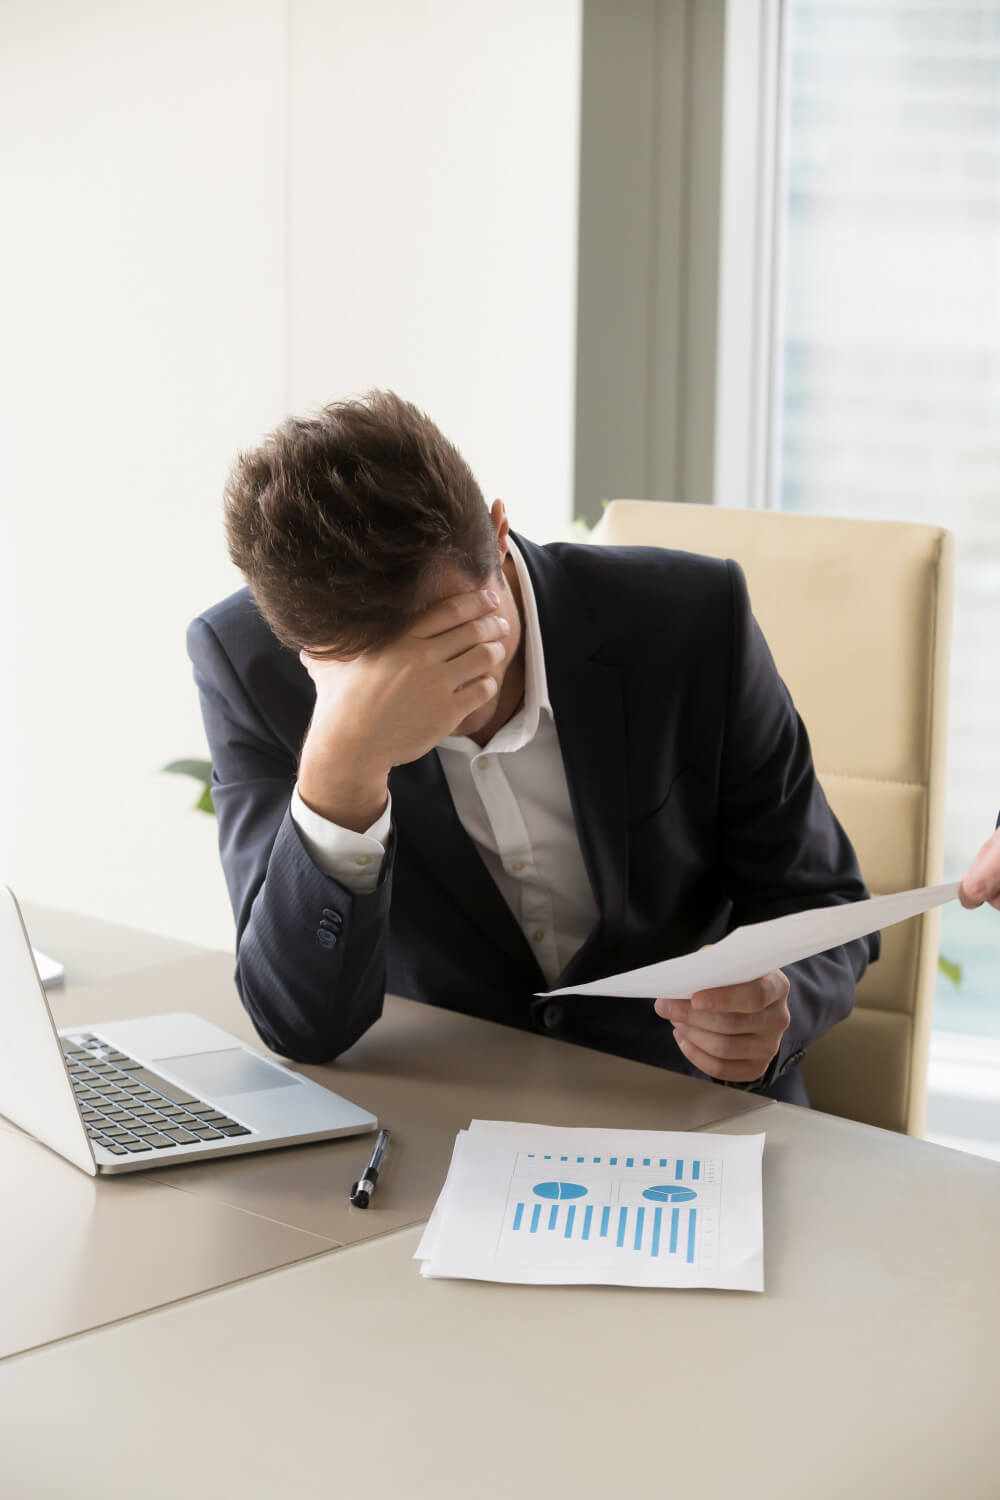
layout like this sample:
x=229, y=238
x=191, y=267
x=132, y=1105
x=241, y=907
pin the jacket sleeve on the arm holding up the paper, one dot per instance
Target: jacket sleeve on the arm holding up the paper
x=783, y=850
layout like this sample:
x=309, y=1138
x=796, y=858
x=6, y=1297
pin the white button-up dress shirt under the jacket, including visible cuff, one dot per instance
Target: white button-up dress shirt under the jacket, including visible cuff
x=513, y=802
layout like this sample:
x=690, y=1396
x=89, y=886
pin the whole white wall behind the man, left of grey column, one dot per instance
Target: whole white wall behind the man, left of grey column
x=217, y=214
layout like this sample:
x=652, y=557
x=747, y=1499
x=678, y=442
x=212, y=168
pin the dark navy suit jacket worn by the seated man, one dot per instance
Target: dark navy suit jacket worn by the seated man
x=695, y=799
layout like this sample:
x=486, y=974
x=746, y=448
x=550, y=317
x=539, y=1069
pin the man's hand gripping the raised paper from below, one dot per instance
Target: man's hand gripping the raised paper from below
x=732, y=1033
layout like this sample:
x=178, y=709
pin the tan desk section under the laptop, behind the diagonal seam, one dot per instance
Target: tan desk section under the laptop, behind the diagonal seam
x=86, y=1252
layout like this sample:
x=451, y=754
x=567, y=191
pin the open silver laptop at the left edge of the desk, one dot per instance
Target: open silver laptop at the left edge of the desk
x=130, y=1096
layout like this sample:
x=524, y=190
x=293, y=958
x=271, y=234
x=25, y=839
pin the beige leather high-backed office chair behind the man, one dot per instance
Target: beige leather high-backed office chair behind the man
x=858, y=617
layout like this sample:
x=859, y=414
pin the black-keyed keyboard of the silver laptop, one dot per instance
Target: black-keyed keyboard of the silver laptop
x=130, y=1109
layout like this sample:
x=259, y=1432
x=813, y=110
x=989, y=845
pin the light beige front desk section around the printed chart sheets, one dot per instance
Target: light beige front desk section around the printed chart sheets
x=867, y=1370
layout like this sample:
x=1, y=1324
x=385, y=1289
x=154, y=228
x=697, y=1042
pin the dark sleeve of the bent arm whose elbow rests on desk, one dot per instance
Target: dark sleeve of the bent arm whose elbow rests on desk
x=311, y=955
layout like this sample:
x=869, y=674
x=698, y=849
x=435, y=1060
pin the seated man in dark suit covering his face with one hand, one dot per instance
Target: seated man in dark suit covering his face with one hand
x=467, y=769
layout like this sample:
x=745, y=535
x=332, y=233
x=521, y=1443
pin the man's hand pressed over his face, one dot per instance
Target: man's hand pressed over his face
x=395, y=704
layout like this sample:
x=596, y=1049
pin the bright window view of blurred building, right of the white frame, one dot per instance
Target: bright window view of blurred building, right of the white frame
x=888, y=389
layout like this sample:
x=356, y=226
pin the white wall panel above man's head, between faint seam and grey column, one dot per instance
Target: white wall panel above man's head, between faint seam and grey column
x=434, y=208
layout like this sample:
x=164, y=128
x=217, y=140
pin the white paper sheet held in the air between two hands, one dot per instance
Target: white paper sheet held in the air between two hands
x=750, y=952
